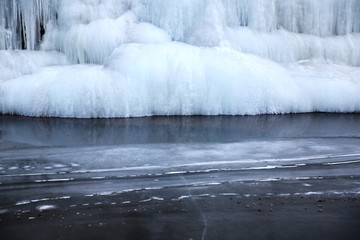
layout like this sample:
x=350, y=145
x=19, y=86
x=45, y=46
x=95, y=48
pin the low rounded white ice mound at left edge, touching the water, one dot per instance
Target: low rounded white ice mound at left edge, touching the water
x=70, y=91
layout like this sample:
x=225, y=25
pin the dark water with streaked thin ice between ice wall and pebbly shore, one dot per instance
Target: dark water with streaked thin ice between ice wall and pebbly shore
x=44, y=159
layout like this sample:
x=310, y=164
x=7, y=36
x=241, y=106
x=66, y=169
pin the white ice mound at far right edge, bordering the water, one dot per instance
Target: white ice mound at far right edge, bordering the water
x=329, y=87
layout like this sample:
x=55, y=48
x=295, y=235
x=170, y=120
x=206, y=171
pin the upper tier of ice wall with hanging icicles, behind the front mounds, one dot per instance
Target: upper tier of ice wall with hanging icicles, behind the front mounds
x=282, y=30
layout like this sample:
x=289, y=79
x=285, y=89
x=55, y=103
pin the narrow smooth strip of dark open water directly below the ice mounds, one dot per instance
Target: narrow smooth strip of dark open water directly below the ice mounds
x=222, y=129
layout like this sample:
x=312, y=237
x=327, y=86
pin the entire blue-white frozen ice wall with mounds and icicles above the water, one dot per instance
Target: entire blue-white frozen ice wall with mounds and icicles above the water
x=124, y=58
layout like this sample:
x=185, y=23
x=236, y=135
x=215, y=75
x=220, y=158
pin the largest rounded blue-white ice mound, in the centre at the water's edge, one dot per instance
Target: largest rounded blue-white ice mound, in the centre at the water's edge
x=180, y=79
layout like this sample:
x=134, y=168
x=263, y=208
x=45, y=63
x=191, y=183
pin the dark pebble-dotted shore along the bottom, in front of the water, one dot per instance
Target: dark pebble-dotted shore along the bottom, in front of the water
x=226, y=211
